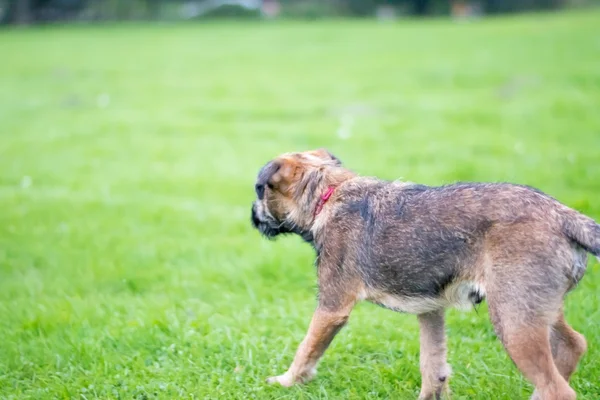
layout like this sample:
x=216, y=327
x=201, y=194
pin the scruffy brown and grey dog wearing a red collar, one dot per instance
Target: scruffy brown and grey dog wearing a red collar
x=420, y=249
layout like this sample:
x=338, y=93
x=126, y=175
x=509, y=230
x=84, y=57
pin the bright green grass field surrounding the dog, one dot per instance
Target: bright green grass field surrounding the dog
x=128, y=266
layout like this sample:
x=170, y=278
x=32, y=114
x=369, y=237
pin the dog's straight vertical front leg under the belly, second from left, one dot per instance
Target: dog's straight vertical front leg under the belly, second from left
x=435, y=372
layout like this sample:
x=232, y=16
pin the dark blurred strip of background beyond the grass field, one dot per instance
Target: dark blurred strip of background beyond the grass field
x=32, y=11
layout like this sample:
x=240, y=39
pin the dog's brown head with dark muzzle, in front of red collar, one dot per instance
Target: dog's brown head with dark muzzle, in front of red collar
x=287, y=190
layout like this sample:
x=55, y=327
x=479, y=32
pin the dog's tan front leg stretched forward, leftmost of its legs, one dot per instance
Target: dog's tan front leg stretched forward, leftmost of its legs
x=324, y=326
